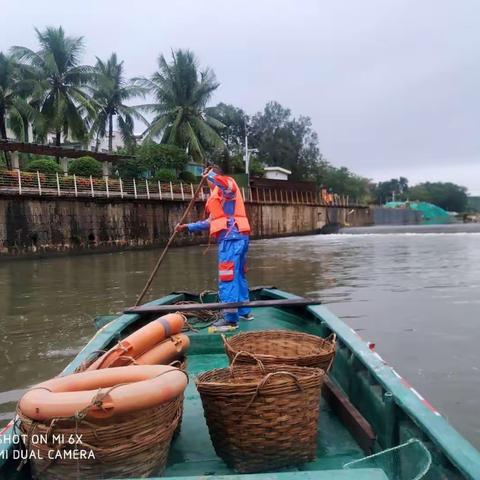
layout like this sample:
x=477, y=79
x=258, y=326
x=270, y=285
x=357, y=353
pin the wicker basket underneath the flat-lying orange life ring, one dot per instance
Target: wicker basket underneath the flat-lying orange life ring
x=124, y=446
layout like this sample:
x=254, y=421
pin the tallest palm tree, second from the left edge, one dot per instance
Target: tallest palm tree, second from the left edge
x=59, y=93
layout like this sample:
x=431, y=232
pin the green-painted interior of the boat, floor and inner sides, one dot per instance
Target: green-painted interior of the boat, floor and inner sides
x=361, y=421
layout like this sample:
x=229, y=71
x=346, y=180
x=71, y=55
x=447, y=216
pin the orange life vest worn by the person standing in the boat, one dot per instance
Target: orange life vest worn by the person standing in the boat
x=218, y=219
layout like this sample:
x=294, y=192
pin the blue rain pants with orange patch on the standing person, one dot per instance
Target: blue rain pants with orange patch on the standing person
x=232, y=282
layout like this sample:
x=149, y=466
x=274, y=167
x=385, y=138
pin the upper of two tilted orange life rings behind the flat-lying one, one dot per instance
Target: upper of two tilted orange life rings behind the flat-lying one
x=140, y=341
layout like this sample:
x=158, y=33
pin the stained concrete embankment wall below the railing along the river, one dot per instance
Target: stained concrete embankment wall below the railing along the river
x=40, y=226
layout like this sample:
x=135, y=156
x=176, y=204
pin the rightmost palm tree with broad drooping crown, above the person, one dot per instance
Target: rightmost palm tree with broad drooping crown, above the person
x=181, y=94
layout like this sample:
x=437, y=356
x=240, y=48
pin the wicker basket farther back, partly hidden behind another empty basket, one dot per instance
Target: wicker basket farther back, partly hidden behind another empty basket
x=284, y=347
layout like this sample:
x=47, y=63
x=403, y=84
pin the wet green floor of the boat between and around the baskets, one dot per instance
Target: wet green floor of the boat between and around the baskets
x=192, y=452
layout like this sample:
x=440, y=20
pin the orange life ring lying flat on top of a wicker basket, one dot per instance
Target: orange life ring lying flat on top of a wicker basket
x=139, y=387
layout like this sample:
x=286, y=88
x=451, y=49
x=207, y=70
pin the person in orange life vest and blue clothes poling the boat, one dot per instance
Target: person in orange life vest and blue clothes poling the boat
x=228, y=224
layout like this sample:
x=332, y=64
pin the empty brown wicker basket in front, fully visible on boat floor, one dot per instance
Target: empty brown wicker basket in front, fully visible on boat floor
x=262, y=417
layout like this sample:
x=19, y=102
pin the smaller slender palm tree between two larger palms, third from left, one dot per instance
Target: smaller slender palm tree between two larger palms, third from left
x=110, y=91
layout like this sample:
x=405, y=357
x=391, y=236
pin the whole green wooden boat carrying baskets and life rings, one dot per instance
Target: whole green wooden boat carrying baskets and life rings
x=373, y=424
